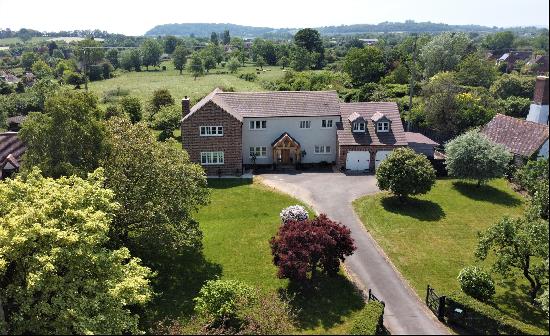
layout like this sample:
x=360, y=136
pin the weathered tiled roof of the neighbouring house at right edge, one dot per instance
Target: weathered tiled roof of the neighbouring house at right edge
x=519, y=136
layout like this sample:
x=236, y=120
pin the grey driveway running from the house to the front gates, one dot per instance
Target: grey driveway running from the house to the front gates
x=332, y=193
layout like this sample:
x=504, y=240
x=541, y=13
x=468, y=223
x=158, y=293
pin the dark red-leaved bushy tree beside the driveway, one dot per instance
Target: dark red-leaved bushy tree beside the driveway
x=301, y=249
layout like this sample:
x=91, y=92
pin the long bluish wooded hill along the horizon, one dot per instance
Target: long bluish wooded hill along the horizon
x=205, y=29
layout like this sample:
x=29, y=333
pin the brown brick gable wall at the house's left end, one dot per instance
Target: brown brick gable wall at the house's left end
x=230, y=143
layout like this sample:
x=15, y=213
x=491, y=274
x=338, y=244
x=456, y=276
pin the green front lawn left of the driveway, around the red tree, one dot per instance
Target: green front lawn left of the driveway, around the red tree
x=237, y=225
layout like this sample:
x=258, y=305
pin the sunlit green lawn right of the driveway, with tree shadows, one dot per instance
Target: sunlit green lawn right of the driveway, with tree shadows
x=433, y=237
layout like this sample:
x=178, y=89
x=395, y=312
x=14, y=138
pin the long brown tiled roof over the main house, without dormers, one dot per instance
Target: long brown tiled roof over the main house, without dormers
x=273, y=104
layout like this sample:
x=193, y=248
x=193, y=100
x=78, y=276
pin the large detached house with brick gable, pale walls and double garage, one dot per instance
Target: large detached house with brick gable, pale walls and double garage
x=228, y=131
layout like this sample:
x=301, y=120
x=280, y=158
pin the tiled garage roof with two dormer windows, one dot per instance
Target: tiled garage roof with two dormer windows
x=396, y=136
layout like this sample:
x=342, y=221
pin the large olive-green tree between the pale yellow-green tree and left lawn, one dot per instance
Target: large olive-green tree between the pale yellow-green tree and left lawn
x=144, y=174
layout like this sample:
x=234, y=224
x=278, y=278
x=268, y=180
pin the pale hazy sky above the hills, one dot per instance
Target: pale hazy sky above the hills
x=136, y=17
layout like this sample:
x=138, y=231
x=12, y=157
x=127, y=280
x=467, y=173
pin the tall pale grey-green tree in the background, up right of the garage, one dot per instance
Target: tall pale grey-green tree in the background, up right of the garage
x=444, y=52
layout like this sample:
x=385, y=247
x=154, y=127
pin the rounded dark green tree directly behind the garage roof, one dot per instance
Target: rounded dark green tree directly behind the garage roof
x=364, y=65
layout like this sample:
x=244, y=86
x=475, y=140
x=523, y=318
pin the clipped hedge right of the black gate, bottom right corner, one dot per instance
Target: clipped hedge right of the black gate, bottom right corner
x=484, y=319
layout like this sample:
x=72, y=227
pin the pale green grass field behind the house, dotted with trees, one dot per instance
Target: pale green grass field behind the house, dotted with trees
x=142, y=84
